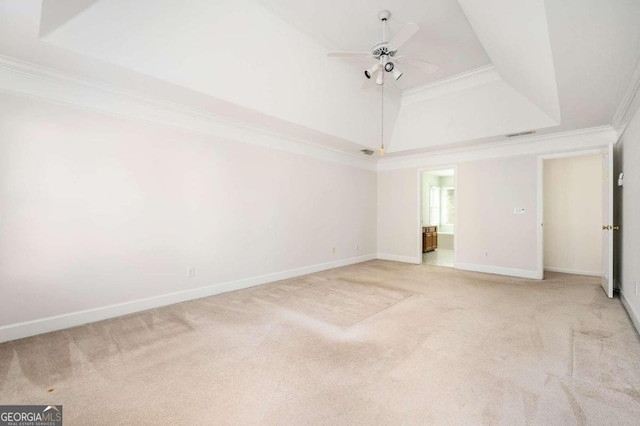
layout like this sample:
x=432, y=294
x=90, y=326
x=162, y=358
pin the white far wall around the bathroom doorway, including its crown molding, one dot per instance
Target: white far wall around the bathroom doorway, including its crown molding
x=505, y=177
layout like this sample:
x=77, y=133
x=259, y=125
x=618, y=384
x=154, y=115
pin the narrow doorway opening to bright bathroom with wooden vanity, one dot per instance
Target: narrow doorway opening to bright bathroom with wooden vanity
x=438, y=217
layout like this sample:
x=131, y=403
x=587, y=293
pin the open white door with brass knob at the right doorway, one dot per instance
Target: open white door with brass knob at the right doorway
x=607, y=221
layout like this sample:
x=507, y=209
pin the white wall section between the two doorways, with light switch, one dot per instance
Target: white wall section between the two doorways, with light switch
x=488, y=231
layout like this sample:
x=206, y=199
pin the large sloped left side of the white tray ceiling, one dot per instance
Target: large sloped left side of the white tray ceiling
x=234, y=50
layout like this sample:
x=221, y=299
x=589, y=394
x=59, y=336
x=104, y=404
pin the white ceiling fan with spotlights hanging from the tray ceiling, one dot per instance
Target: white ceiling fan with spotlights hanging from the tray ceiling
x=384, y=51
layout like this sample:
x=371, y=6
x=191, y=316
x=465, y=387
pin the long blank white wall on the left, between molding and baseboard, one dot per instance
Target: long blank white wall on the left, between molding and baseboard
x=98, y=211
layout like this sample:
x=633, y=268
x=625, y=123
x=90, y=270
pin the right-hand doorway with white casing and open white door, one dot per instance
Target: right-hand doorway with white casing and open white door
x=575, y=215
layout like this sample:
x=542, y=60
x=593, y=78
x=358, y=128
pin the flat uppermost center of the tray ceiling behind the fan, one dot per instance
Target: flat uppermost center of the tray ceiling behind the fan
x=445, y=37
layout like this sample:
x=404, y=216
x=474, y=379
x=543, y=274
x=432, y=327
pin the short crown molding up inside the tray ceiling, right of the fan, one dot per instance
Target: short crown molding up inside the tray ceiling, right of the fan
x=463, y=81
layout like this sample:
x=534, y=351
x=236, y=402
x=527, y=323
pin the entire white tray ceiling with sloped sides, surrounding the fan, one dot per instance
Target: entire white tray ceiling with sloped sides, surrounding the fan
x=505, y=66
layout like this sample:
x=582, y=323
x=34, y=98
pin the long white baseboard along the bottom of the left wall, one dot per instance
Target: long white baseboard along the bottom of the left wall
x=73, y=319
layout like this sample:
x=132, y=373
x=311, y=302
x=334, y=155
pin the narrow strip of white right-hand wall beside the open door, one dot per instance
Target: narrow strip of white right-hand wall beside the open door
x=628, y=205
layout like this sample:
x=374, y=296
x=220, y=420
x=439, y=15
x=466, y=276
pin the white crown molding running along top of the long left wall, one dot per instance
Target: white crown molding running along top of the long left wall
x=33, y=80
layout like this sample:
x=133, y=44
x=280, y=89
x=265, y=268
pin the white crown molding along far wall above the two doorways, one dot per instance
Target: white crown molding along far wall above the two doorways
x=581, y=139
